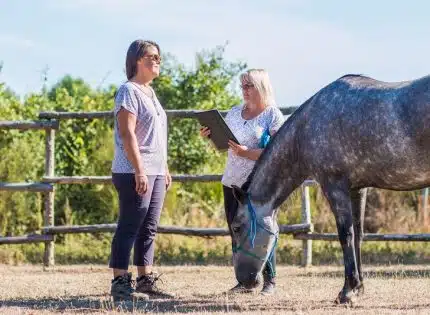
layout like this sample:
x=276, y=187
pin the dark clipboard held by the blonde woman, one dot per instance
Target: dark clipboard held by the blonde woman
x=220, y=132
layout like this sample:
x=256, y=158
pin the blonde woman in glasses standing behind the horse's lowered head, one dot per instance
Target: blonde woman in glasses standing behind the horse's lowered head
x=252, y=123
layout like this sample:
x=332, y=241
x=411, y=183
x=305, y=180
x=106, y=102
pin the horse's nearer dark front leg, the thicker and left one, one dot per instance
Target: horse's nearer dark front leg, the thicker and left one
x=338, y=195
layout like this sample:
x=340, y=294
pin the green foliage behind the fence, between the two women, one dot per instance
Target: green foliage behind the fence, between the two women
x=210, y=84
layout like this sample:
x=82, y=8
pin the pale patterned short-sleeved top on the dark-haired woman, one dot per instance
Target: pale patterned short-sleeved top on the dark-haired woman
x=151, y=130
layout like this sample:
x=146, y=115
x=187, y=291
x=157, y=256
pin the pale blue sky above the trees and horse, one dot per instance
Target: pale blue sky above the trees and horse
x=304, y=44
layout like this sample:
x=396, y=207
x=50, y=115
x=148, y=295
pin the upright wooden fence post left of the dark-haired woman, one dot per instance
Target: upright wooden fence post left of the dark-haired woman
x=48, y=217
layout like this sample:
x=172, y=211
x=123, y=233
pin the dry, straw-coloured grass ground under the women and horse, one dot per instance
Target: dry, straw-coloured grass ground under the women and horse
x=200, y=290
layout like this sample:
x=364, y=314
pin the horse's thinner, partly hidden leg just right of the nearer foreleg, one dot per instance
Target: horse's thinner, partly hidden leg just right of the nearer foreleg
x=358, y=204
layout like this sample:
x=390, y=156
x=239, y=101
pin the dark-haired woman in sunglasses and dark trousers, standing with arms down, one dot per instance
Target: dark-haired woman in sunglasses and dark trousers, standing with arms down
x=139, y=172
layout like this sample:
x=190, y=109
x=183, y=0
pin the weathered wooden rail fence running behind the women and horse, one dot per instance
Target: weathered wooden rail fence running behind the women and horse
x=50, y=123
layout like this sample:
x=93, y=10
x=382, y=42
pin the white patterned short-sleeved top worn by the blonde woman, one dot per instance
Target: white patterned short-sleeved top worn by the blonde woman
x=248, y=133
